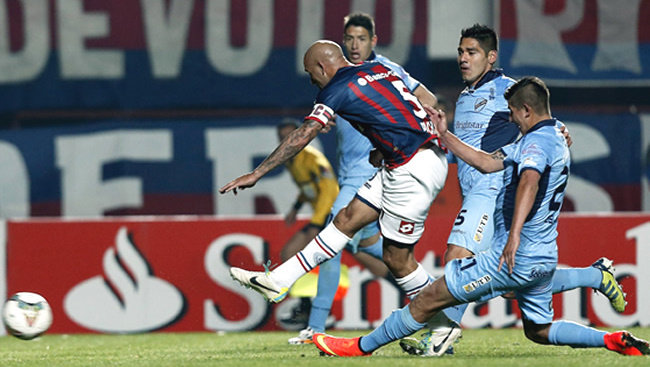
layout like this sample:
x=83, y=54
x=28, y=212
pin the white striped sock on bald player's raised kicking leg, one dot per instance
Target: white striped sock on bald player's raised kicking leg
x=329, y=242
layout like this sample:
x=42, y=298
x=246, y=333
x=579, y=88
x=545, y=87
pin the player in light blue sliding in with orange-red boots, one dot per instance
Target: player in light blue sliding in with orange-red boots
x=536, y=171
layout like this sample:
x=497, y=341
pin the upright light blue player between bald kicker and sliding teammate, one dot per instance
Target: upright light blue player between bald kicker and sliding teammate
x=482, y=120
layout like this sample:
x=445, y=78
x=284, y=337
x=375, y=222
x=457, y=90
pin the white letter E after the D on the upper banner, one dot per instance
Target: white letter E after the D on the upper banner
x=76, y=61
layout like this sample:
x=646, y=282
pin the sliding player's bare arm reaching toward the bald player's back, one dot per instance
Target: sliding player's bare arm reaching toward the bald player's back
x=481, y=160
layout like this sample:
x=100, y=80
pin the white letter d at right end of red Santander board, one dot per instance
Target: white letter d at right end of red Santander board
x=641, y=272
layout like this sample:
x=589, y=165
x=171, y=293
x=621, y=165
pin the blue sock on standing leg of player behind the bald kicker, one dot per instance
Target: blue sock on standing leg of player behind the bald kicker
x=328, y=282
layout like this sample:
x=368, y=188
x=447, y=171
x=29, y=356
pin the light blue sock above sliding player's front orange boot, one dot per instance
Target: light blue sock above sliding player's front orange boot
x=399, y=324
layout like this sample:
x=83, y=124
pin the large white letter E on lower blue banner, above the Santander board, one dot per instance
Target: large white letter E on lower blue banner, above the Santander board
x=81, y=158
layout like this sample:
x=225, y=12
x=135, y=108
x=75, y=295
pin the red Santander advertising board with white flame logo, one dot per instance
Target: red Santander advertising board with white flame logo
x=171, y=274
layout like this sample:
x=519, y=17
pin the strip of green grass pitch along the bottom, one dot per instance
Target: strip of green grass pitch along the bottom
x=477, y=348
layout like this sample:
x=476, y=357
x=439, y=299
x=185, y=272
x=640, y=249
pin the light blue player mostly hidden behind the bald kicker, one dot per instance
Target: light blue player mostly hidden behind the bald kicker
x=353, y=150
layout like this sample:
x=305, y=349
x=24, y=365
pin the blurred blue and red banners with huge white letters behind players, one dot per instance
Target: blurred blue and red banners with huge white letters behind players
x=148, y=107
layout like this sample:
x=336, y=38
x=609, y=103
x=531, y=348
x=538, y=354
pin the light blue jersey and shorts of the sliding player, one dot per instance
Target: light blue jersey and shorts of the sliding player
x=544, y=149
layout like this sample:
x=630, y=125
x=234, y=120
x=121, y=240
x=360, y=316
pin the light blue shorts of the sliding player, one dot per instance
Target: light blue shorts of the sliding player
x=476, y=279
